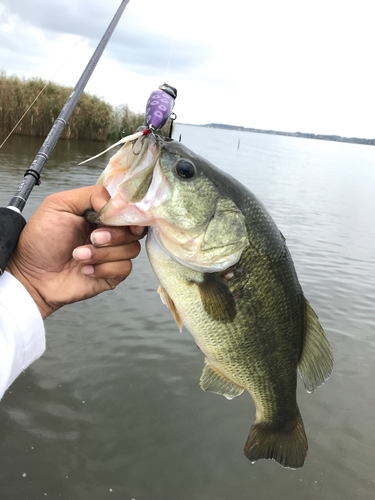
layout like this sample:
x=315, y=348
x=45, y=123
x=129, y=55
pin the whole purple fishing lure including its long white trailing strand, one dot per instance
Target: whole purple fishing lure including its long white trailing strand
x=158, y=110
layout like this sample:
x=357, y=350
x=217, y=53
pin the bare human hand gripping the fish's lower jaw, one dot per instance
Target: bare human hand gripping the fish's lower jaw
x=61, y=258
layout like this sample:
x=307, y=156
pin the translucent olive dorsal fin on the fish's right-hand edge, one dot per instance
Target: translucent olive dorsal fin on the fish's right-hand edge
x=316, y=361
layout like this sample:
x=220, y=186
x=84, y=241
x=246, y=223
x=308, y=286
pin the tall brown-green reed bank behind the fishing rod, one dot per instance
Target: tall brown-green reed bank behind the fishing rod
x=92, y=118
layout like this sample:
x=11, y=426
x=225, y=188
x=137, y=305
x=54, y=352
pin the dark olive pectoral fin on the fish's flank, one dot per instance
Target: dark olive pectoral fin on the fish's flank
x=217, y=299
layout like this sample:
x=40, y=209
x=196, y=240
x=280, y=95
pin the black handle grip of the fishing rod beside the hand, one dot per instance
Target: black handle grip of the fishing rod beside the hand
x=11, y=225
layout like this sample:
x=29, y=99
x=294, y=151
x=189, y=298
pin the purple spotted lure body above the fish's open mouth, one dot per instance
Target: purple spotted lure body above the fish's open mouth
x=159, y=106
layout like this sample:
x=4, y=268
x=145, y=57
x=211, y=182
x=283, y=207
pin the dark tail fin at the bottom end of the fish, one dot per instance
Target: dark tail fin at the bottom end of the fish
x=288, y=446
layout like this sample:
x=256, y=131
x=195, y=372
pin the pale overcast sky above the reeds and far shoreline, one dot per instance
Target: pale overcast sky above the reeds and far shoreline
x=291, y=65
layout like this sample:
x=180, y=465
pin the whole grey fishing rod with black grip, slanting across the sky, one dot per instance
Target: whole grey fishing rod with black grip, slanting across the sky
x=11, y=220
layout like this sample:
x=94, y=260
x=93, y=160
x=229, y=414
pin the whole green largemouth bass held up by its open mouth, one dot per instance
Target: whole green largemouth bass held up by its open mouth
x=226, y=274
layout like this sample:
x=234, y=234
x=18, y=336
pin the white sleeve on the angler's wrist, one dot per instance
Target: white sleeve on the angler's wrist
x=22, y=335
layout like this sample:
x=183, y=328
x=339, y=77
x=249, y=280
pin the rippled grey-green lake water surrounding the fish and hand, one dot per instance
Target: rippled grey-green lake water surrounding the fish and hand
x=113, y=410
